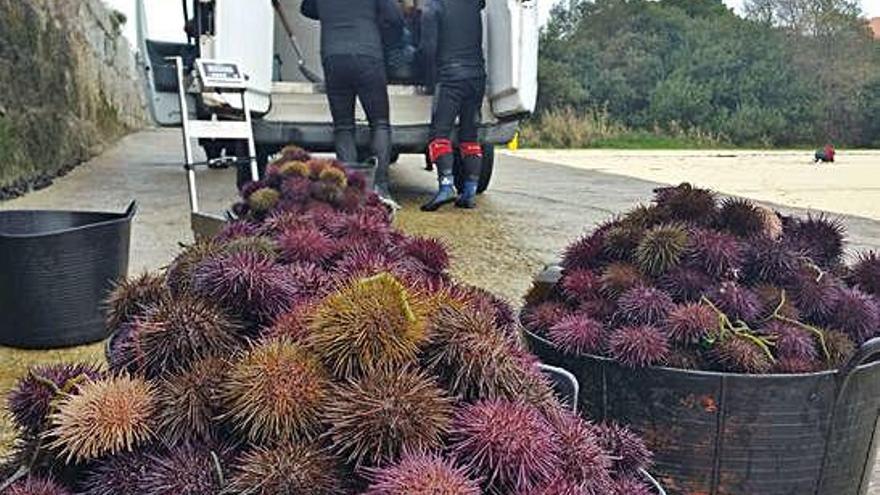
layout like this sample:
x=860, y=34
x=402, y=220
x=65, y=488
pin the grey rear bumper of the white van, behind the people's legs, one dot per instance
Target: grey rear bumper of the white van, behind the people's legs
x=272, y=135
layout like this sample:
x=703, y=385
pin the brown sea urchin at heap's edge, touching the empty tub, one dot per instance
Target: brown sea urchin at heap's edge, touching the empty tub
x=131, y=297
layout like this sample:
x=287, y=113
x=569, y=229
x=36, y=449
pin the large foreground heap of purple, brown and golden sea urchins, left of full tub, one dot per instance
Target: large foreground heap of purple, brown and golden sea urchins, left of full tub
x=310, y=349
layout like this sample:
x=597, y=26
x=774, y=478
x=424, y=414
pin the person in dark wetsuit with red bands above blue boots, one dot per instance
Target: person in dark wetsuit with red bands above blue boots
x=452, y=50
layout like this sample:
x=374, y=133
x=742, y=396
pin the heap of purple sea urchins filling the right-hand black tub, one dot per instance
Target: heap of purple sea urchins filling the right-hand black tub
x=699, y=283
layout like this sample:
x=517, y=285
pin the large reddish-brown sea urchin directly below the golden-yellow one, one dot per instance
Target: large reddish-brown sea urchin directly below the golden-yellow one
x=387, y=413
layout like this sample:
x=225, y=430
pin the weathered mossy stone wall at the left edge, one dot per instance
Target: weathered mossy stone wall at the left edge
x=68, y=87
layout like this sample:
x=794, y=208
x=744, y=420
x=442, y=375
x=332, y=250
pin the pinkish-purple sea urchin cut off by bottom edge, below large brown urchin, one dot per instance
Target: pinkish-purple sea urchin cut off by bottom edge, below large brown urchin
x=421, y=474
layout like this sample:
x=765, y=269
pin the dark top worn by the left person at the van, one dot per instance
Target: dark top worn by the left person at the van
x=355, y=27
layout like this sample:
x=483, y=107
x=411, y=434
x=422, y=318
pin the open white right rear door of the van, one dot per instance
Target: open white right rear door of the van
x=512, y=65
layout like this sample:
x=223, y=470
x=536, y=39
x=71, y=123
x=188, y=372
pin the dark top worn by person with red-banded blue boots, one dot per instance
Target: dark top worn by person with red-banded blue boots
x=451, y=42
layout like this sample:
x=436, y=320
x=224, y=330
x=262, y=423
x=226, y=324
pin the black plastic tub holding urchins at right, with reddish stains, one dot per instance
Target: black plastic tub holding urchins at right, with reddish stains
x=730, y=434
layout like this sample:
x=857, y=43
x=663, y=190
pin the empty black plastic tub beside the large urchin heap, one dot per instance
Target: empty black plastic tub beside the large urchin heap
x=56, y=268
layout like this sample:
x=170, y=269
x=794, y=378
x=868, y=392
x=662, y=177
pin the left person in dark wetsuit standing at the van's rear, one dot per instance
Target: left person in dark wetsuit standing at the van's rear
x=353, y=61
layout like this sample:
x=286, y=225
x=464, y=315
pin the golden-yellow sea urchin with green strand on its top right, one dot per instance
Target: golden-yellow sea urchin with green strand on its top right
x=369, y=324
